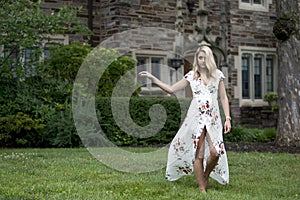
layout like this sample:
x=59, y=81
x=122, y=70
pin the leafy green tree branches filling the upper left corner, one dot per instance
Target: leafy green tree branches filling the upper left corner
x=24, y=25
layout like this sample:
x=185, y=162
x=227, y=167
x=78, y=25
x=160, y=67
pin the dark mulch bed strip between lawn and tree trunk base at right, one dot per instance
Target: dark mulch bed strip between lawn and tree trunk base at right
x=261, y=147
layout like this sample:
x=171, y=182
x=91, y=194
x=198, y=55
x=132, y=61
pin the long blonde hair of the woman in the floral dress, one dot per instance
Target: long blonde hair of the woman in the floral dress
x=209, y=62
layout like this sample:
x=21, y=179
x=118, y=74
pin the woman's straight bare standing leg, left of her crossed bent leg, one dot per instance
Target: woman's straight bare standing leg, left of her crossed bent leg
x=198, y=164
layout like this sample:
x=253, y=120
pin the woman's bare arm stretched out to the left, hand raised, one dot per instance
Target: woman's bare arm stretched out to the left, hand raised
x=167, y=88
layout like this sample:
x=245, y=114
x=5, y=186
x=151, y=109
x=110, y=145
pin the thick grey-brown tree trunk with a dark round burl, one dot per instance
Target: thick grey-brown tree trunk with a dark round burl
x=286, y=29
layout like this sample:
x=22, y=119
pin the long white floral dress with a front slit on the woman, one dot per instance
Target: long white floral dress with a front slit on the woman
x=203, y=112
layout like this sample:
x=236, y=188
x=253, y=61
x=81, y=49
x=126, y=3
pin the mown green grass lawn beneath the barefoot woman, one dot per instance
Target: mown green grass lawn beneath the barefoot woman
x=75, y=174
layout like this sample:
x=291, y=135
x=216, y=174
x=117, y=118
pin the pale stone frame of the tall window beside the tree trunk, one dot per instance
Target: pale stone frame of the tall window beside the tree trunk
x=254, y=52
